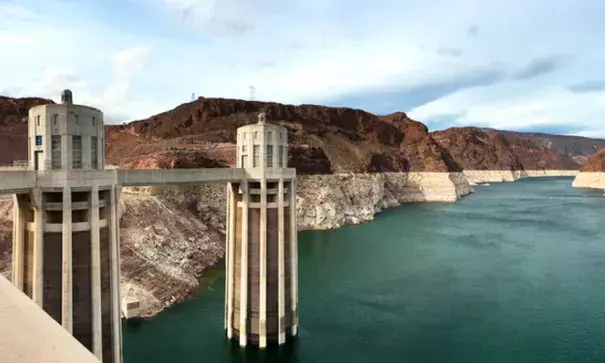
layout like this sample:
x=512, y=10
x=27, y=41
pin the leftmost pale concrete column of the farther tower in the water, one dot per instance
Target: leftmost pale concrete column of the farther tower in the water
x=232, y=210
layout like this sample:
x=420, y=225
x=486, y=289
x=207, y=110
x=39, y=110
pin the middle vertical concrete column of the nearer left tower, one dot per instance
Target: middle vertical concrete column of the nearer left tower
x=67, y=272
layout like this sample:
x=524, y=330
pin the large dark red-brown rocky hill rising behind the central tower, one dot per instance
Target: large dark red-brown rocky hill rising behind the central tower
x=323, y=139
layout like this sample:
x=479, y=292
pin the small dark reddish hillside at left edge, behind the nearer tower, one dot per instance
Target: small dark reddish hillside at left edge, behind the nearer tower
x=13, y=126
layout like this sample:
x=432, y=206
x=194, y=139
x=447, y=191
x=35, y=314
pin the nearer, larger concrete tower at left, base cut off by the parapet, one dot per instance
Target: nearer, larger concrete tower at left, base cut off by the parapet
x=66, y=235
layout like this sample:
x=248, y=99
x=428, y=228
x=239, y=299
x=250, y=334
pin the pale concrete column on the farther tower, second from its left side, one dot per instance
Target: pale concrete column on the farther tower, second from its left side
x=243, y=302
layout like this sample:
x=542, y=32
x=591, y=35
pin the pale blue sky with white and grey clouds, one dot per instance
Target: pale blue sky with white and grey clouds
x=523, y=65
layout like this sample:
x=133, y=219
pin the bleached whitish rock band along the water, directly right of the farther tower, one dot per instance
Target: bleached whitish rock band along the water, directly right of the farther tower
x=331, y=201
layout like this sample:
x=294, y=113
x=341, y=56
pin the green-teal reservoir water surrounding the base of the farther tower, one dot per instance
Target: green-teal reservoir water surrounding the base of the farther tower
x=512, y=273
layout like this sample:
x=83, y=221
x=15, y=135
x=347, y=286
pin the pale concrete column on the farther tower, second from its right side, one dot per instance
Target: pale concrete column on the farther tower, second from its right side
x=280, y=267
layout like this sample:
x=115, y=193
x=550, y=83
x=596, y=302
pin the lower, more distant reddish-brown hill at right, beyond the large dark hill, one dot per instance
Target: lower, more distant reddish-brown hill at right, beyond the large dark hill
x=476, y=149
